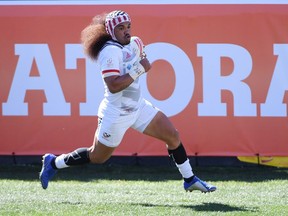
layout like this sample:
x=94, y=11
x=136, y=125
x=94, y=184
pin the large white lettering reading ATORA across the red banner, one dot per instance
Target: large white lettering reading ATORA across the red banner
x=213, y=81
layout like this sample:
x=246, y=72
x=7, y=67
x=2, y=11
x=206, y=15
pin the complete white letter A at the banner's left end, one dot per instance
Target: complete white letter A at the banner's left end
x=47, y=81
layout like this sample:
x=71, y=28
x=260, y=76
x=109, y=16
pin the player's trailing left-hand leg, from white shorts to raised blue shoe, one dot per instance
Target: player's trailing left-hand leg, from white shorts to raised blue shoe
x=107, y=137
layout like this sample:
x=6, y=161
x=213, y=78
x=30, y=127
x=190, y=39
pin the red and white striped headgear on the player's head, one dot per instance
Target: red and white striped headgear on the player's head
x=113, y=19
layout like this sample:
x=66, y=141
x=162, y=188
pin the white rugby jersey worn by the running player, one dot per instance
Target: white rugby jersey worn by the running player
x=111, y=59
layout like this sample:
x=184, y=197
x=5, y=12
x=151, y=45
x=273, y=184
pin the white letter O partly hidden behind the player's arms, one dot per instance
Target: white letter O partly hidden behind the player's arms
x=184, y=74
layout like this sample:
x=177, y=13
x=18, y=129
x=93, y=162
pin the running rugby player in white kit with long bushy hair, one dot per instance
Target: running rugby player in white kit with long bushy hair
x=122, y=61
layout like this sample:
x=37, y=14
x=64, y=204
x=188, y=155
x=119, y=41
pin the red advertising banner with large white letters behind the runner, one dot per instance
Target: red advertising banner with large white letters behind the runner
x=220, y=72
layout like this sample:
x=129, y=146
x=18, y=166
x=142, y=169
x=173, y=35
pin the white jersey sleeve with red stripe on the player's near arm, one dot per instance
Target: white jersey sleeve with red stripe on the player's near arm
x=110, y=61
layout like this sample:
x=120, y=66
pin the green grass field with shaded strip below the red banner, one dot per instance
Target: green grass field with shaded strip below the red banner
x=132, y=190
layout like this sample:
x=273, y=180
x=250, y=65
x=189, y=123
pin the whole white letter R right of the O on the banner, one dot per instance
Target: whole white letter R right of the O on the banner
x=213, y=82
